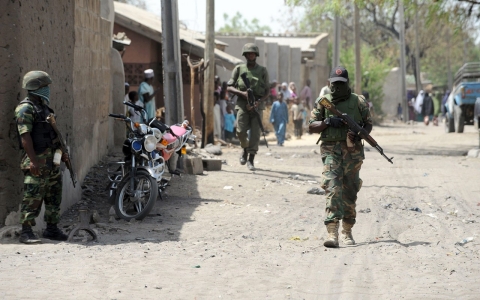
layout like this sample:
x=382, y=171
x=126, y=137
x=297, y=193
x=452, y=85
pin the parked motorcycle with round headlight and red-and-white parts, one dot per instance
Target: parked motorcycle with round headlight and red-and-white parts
x=137, y=181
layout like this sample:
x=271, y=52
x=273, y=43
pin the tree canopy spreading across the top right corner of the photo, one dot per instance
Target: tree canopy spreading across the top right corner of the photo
x=379, y=23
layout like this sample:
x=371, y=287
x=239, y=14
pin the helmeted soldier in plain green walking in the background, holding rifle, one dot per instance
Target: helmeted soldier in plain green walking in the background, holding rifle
x=247, y=120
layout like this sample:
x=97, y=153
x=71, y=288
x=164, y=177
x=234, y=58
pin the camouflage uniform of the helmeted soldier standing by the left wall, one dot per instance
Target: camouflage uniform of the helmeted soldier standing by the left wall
x=48, y=185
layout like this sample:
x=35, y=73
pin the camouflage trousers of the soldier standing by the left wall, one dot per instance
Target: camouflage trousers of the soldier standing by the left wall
x=44, y=188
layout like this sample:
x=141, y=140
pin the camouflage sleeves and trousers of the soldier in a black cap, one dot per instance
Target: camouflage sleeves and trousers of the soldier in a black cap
x=341, y=168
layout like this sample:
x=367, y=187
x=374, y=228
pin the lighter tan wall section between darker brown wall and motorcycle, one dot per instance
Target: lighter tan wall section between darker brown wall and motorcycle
x=92, y=86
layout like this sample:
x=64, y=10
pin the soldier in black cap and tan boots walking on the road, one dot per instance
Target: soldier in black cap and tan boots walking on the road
x=341, y=165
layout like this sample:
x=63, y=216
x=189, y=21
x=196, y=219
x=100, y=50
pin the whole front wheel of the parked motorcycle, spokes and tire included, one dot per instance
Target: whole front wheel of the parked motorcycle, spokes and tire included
x=139, y=205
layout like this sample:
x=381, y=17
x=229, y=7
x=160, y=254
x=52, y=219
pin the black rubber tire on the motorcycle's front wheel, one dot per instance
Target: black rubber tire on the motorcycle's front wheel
x=122, y=188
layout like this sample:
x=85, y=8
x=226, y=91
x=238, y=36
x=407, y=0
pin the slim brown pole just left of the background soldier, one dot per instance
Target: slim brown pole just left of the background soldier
x=207, y=136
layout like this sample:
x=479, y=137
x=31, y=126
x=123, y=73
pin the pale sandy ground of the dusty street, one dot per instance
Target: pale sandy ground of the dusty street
x=263, y=238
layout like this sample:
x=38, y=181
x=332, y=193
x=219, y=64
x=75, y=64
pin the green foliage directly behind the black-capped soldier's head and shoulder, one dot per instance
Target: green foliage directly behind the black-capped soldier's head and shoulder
x=374, y=72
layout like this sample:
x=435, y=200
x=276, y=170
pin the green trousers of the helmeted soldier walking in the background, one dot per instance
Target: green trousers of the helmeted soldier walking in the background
x=248, y=121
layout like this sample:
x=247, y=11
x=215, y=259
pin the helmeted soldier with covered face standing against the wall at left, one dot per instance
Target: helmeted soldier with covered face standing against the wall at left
x=43, y=179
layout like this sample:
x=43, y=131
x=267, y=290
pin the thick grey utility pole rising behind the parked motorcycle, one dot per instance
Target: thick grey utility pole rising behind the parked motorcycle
x=172, y=63
